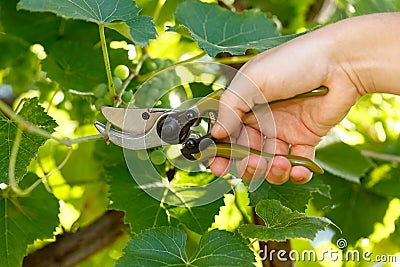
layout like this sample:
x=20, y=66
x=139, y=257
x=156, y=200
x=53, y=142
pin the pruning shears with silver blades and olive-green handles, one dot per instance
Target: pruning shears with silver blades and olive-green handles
x=143, y=128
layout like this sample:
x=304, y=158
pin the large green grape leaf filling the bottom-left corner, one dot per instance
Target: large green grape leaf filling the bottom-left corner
x=25, y=219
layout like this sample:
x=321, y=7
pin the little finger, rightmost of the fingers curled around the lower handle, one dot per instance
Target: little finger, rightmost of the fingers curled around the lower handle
x=300, y=174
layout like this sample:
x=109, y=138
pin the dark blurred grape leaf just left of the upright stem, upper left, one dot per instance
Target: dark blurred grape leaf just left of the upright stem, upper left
x=75, y=65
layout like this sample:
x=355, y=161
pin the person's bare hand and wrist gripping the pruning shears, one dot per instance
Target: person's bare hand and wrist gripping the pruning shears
x=333, y=56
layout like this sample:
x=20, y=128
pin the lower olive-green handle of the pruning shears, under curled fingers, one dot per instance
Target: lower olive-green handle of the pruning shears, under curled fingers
x=234, y=151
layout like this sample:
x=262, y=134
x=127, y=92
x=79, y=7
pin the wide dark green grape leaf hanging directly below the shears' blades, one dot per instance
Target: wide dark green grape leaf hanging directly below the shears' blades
x=142, y=210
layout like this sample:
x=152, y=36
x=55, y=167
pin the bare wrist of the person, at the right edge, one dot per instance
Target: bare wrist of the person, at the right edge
x=365, y=49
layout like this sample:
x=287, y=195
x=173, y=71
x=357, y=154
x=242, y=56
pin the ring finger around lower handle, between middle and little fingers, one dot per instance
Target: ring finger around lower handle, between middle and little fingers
x=279, y=166
